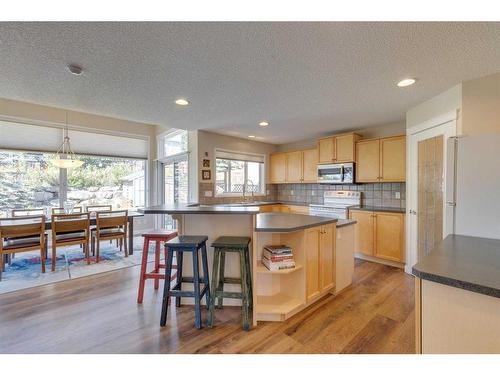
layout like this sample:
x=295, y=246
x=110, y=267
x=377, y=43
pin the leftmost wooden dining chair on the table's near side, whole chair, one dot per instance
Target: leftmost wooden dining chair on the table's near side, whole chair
x=21, y=234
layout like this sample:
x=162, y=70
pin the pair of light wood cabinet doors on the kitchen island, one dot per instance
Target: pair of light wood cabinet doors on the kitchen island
x=320, y=260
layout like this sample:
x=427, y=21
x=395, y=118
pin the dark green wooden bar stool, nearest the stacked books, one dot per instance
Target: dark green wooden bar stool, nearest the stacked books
x=221, y=246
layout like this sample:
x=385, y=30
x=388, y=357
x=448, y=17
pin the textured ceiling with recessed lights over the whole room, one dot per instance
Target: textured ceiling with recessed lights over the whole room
x=306, y=79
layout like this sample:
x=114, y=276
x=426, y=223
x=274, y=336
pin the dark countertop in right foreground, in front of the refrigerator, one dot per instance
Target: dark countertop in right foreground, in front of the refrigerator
x=470, y=263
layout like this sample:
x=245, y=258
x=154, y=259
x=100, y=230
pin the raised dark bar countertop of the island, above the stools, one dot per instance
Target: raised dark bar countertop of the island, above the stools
x=199, y=209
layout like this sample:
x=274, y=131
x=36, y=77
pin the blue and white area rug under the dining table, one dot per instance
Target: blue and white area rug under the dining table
x=25, y=269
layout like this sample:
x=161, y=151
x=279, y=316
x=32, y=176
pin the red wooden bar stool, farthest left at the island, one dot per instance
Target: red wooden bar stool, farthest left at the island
x=158, y=236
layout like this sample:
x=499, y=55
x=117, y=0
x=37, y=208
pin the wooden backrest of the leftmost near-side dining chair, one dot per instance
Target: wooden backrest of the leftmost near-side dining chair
x=27, y=226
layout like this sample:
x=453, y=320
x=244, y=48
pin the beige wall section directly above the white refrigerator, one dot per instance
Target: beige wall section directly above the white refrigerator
x=481, y=105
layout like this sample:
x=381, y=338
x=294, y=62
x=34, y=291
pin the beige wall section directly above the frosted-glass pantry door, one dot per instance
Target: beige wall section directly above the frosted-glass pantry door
x=450, y=100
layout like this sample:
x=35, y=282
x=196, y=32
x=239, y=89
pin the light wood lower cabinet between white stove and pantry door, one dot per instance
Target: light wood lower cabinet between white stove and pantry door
x=379, y=234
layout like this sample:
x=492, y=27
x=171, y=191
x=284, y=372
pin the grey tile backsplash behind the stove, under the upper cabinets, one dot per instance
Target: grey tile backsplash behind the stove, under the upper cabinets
x=385, y=194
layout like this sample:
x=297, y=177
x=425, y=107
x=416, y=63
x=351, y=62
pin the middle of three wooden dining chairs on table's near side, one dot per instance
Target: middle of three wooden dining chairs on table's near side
x=70, y=229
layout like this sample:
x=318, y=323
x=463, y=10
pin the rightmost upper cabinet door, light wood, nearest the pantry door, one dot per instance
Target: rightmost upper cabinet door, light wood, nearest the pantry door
x=393, y=159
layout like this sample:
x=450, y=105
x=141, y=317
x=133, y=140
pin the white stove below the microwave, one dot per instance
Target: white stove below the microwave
x=336, y=204
